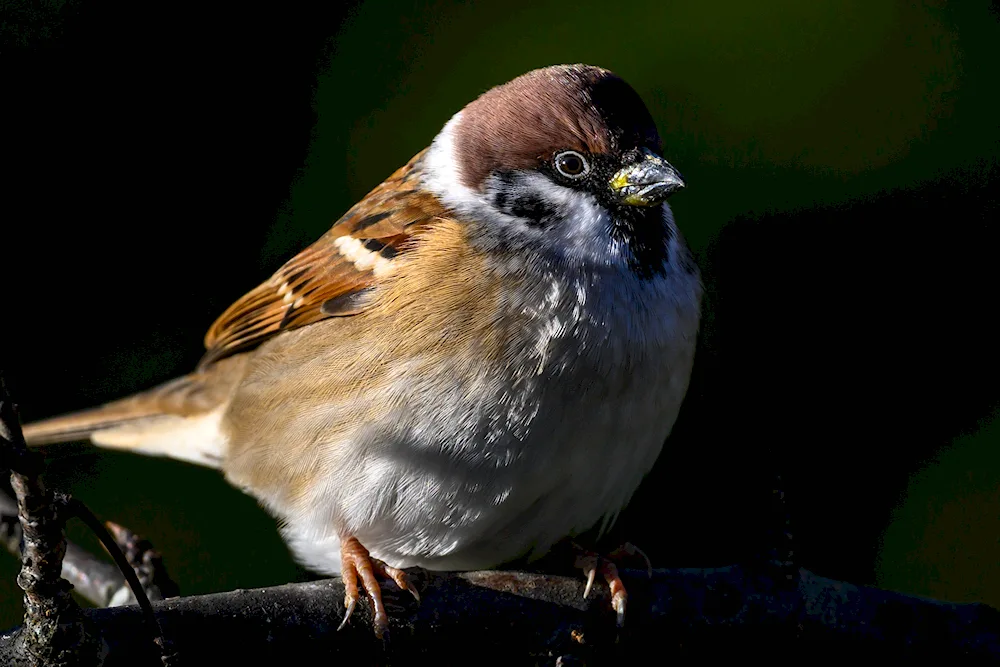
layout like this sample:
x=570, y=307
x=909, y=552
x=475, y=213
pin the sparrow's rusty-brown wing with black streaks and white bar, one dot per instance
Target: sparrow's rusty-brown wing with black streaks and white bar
x=328, y=278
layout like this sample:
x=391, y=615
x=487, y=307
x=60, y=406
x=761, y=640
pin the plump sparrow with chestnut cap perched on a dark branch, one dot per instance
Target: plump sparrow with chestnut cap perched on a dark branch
x=482, y=357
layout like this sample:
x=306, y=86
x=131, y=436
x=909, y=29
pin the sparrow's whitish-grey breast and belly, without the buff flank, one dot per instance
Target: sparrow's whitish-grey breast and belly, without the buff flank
x=546, y=442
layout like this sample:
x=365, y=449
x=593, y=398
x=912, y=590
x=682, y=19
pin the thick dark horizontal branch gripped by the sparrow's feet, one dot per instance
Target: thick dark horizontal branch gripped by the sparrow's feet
x=521, y=618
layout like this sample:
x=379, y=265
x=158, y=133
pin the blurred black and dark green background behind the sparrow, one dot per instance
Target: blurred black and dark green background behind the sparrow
x=841, y=160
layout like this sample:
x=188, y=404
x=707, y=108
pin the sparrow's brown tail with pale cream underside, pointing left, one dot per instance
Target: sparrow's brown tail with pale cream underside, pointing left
x=180, y=419
